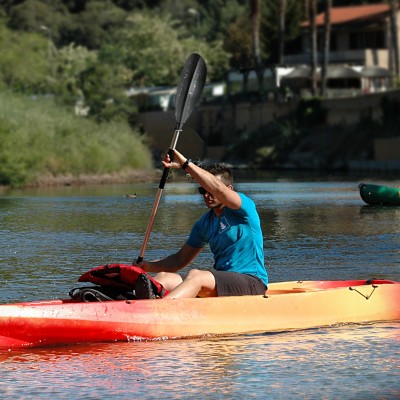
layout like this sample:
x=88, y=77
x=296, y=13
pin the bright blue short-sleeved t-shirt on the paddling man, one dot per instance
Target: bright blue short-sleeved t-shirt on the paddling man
x=235, y=239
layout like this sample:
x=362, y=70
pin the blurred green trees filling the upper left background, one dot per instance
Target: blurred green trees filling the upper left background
x=94, y=50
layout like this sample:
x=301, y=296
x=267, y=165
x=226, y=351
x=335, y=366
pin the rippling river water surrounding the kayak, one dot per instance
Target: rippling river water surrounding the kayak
x=314, y=228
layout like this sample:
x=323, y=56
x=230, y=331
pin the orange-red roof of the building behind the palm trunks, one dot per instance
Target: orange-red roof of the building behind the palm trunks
x=341, y=15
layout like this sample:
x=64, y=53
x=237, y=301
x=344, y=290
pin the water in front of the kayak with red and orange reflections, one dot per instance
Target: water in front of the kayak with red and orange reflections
x=338, y=362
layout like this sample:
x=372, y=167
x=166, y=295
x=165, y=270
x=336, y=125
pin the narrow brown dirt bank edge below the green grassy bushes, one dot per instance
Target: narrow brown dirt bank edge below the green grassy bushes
x=127, y=176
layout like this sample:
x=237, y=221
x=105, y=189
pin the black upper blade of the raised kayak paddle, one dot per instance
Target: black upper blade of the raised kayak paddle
x=191, y=84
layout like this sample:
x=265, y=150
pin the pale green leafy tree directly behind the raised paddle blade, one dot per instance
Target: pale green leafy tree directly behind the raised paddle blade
x=154, y=50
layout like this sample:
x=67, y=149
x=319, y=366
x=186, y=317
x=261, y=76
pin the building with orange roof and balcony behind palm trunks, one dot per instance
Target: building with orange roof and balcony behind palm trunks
x=361, y=55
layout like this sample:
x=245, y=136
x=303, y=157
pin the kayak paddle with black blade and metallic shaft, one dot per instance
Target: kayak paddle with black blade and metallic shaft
x=191, y=84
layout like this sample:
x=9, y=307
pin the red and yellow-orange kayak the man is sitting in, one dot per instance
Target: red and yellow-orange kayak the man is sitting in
x=285, y=306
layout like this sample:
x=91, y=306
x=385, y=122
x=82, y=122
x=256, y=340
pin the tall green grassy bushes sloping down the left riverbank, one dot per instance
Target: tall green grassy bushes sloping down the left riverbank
x=40, y=141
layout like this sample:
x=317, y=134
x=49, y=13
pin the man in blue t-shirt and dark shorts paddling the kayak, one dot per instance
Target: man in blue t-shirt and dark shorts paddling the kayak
x=232, y=229
